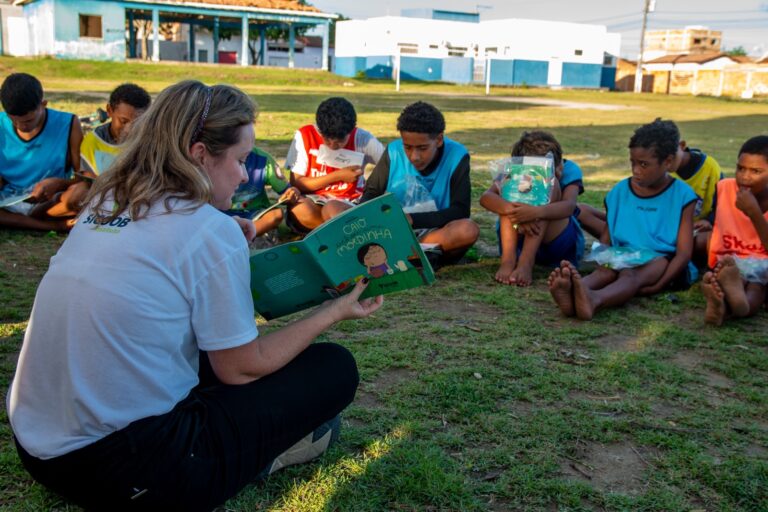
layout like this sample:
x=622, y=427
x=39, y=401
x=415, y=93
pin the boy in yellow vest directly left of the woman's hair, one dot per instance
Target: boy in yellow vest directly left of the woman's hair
x=100, y=147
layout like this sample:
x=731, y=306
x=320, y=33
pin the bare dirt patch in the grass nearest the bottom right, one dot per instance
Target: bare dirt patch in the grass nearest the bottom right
x=618, y=468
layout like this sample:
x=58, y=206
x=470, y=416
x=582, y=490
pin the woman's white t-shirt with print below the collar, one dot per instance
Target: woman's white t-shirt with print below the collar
x=119, y=319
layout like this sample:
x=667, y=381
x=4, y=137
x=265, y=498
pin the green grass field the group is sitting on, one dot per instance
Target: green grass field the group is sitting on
x=476, y=396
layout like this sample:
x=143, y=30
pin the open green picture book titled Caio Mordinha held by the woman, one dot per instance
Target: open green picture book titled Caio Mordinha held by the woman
x=373, y=240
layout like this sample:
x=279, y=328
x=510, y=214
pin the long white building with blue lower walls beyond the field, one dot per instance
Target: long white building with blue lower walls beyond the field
x=435, y=45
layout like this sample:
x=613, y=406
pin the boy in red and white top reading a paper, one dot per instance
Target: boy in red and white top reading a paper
x=332, y=190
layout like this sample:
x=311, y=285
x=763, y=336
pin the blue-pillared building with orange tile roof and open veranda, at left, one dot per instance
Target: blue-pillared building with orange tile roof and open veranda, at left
x=108, y=29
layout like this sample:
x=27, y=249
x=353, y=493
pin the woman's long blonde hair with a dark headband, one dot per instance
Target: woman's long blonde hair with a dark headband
x=156, y=163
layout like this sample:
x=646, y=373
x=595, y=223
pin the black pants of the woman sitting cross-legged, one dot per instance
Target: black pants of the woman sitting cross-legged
x=210, y=445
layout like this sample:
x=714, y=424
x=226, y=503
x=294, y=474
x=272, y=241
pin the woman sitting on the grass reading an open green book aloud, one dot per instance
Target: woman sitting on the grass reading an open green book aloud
x=109, y=406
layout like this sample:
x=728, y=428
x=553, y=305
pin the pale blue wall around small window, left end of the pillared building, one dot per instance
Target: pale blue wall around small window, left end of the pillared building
x=69, y=44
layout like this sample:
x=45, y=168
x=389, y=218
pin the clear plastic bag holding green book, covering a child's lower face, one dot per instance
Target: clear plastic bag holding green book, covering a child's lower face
x=525, y=179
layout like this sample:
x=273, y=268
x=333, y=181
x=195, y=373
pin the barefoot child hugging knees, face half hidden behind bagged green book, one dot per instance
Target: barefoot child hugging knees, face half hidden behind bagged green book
x=544, y=234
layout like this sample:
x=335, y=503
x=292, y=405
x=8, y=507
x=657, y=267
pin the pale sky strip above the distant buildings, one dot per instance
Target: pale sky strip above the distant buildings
x=743, y=22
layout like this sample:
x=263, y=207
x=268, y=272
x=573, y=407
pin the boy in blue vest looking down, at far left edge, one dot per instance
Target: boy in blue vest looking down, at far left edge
x=39, y=148
